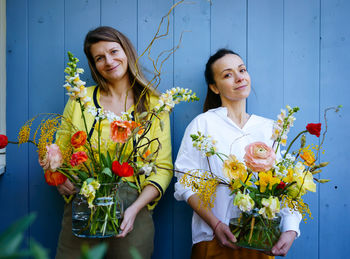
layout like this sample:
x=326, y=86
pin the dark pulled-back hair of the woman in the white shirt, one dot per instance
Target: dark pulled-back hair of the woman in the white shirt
x=212, y=99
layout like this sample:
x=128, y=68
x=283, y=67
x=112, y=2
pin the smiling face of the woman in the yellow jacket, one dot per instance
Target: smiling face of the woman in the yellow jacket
x=110, y=60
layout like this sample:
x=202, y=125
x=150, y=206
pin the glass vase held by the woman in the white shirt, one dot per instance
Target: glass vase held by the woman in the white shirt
x=253, y=231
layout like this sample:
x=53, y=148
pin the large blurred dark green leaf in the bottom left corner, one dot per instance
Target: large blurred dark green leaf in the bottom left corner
x=11, y=238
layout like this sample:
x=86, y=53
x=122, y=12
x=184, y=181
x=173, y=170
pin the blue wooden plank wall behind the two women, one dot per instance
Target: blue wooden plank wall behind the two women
x=297, y=52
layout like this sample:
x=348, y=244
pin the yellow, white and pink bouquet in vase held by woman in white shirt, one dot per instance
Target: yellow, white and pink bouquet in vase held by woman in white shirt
x=265, y=182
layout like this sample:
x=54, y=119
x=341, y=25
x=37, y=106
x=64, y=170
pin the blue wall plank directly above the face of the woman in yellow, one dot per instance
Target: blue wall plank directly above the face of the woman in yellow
x=121, y=15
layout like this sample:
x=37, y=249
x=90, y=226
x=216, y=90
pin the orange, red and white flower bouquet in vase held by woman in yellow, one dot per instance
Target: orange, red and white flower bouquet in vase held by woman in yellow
x=98, y=166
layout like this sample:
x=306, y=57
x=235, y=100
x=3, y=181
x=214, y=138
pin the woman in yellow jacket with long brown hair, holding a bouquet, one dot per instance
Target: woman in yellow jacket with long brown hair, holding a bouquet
x=112, y=61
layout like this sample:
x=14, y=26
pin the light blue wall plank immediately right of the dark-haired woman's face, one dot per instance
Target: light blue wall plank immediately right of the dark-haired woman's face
x=265, y=56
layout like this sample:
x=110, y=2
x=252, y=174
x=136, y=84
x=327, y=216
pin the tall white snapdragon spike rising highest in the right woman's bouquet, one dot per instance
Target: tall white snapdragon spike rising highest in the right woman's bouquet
x=283, y=124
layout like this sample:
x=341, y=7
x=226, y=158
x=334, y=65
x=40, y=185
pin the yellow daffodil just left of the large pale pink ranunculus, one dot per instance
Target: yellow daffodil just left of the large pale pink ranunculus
x=236, y=172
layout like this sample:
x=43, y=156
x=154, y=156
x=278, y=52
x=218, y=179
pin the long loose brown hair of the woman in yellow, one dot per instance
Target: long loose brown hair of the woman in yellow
x=136, y=77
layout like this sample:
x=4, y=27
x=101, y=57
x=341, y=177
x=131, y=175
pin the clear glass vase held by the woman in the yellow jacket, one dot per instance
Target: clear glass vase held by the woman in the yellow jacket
x=101, y=220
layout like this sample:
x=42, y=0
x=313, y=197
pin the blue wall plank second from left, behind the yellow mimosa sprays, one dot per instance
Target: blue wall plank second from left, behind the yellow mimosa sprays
x=46, y=45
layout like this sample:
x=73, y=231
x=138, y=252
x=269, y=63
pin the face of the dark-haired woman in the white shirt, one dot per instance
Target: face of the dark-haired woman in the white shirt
x=232, y=81
